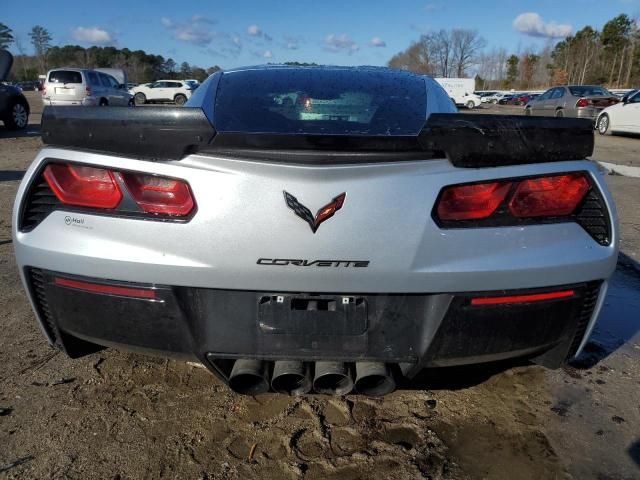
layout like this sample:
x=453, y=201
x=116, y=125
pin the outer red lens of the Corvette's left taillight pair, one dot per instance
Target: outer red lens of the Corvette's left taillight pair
x=83, y=186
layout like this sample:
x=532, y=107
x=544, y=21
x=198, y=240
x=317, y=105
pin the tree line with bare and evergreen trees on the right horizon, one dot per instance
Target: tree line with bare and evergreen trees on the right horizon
x=608, y=57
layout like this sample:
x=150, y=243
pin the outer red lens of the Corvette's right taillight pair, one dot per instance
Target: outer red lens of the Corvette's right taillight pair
x=548, y=196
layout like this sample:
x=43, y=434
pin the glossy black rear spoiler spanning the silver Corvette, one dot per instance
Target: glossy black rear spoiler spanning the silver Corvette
x=171, y=133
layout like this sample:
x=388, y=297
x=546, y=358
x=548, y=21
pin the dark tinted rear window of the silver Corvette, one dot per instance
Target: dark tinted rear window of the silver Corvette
x=321, y=102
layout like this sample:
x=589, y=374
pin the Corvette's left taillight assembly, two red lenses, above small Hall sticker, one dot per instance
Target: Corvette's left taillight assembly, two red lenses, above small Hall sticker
x=108, y=192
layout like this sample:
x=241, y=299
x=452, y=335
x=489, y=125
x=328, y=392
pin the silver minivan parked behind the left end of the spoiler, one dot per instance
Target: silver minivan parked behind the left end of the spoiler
x=75, y=86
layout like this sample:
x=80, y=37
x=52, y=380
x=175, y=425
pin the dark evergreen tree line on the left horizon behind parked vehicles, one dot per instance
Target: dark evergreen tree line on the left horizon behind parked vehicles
x=140, y=66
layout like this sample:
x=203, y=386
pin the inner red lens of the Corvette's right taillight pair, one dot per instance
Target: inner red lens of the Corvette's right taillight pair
x=471, y=202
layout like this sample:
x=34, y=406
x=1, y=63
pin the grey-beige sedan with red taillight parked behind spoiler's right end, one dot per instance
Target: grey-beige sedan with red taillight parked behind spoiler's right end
x=581, y=101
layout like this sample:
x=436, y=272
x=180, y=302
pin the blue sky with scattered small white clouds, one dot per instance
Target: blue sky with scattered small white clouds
x=235, y=33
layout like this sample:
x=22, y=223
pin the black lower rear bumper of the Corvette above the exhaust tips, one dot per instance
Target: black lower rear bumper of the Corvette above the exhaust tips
x=215, y=326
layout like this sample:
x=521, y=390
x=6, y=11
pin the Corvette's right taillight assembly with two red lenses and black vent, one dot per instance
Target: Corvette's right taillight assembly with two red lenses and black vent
x=566, y=197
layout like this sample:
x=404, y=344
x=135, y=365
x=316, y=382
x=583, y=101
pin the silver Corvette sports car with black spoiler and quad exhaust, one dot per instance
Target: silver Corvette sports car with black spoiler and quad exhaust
x=316, y=229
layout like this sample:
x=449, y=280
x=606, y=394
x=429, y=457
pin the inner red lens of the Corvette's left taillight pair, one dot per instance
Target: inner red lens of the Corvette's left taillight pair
x=159, y=195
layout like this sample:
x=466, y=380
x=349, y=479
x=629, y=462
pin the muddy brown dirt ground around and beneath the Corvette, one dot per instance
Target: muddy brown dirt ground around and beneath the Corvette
x=124, y=416
